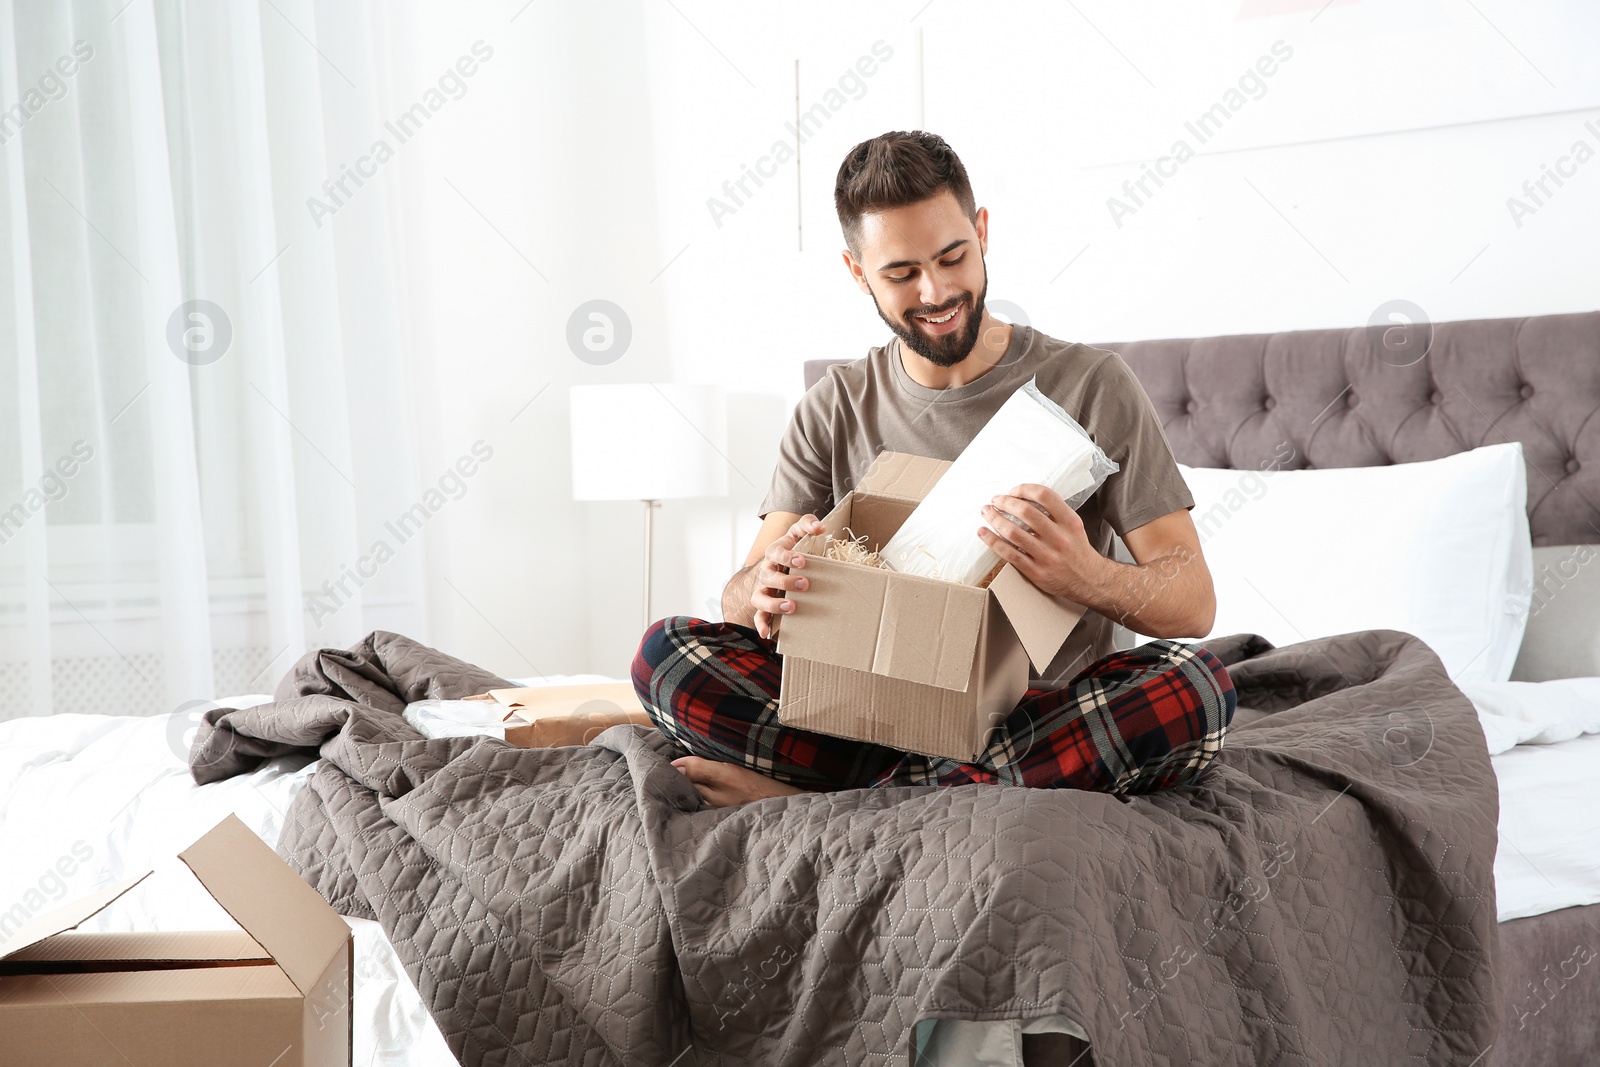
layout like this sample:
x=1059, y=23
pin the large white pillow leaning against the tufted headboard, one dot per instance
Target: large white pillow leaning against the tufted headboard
x=1439, y=549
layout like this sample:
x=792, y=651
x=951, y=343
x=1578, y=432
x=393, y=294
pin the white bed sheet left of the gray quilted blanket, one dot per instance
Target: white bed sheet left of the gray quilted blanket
x=113, y=797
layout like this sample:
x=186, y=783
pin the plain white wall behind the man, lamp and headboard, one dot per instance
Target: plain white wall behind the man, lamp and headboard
x=598, y=135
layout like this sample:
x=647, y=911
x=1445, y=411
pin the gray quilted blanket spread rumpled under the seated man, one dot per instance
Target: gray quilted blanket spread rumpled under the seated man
x=1324, y=897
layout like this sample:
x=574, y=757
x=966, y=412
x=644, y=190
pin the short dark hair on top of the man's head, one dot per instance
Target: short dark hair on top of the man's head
x=894, y=170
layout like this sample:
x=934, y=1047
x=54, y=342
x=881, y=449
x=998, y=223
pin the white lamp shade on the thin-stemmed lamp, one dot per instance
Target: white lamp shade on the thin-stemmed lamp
x=652, y=442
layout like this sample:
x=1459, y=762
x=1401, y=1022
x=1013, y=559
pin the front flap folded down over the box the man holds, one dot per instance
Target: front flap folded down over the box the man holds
x=929, y=633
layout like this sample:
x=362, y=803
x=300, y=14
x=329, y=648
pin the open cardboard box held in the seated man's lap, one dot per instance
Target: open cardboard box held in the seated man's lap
x=905, y=661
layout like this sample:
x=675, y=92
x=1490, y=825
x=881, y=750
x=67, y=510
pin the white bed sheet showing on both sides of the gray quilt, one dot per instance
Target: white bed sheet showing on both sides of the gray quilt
x=113, y=797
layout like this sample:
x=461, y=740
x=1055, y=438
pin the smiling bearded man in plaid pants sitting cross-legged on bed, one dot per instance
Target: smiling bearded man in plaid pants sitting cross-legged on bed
x=1121, y=722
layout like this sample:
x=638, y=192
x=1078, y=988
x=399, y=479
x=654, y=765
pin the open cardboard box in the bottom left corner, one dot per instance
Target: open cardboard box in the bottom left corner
x=274, y=993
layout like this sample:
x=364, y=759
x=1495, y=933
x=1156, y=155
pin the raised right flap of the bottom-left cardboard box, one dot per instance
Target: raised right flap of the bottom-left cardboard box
x=273, y=903
